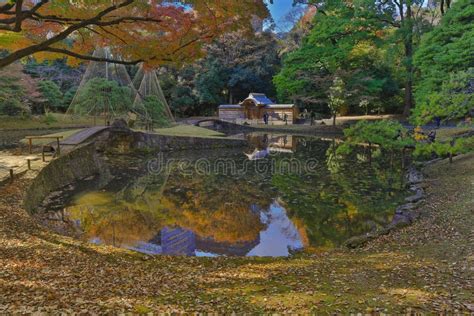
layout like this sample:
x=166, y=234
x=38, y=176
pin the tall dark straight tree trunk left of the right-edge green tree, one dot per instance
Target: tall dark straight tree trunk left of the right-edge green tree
x=408, y=43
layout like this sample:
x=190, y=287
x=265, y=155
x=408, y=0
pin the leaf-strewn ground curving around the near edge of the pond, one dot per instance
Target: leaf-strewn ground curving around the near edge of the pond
x=426, y=267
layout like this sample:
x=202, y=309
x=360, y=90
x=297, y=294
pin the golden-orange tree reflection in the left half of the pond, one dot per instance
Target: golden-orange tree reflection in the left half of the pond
x=218, y=208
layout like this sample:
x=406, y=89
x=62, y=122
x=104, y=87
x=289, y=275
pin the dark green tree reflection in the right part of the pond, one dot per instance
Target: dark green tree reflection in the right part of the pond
x=349, y=197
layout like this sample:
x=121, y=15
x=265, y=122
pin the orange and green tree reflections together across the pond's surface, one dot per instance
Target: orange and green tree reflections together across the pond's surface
x=348, y=196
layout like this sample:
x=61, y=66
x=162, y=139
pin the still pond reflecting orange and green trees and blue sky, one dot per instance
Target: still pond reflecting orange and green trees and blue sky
x=282, y=194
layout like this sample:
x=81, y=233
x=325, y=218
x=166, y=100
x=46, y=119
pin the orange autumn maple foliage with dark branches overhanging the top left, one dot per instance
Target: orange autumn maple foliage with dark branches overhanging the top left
x=154, y=31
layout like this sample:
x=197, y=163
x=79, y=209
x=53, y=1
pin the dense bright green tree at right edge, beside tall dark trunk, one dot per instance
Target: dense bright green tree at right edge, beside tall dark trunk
x=445, y=50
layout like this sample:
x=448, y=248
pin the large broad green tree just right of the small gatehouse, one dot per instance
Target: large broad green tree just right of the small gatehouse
x=342, y=42
